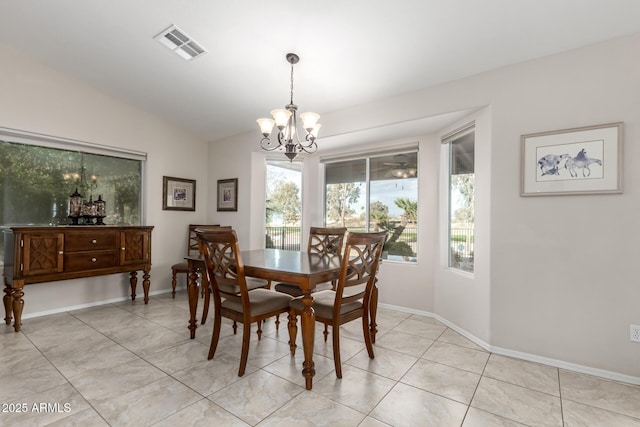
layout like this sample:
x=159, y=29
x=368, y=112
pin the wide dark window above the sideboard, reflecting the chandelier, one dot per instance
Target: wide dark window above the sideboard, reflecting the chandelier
x=36, y=182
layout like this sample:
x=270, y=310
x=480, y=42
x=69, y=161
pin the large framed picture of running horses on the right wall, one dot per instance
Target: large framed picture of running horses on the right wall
x=584, y=160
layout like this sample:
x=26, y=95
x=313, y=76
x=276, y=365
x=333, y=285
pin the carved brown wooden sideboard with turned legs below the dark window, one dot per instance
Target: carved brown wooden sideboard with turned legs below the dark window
x=46, y=254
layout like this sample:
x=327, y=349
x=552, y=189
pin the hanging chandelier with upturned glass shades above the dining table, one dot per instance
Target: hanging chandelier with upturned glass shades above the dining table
x=287, y=123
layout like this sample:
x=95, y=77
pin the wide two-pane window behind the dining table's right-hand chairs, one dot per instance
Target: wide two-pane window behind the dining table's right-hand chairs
x=376, y=193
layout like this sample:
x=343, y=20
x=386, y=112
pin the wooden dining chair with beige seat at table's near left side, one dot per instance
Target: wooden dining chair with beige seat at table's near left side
x=232, y=298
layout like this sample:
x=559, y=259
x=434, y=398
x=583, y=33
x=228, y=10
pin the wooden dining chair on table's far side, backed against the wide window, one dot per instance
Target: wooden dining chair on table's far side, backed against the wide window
x=322, y=240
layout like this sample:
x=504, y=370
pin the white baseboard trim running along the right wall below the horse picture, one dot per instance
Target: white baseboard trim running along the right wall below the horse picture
x=561, y=364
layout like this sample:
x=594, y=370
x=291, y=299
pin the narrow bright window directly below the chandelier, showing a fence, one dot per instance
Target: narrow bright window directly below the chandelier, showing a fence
x=283, y=204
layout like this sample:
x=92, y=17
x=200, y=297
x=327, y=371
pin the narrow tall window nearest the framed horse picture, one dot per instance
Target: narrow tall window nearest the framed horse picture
x=461, y=198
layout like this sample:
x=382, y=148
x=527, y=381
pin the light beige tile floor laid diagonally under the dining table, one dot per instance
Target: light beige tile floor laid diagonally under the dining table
x=130, y=364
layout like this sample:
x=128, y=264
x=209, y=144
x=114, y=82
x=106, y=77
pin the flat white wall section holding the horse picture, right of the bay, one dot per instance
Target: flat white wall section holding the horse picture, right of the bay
x=563, y=283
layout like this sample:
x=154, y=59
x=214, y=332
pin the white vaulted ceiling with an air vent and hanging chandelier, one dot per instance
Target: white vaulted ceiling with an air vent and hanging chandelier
x=351, y=52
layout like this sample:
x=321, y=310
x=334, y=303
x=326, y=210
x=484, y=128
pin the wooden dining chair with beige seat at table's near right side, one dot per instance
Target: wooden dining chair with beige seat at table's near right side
x=352, y=297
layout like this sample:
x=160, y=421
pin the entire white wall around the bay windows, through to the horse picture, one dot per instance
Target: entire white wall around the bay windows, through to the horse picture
x=555, y=278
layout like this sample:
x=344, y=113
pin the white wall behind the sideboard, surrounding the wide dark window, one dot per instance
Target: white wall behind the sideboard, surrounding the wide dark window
x=38, y=99
